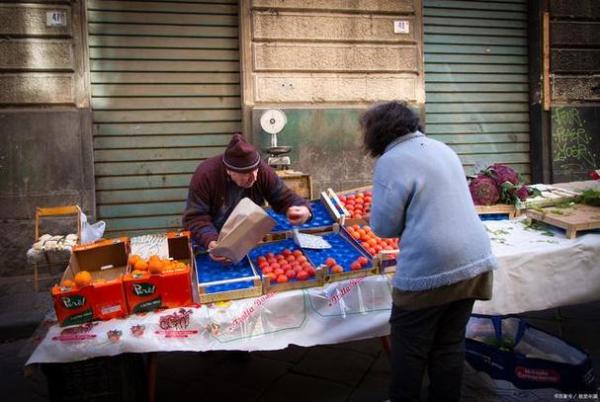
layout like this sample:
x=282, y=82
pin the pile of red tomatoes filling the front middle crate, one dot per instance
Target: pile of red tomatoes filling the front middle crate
x=286, y=266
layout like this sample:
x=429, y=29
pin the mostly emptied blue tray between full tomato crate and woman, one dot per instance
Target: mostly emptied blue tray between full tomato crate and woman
x=342, y=250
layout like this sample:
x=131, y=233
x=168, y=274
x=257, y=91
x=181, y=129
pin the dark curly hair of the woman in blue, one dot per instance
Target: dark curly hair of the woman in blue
x=384, y=122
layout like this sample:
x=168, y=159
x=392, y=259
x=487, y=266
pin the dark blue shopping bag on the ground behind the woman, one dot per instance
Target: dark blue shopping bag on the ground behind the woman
x=508, y=348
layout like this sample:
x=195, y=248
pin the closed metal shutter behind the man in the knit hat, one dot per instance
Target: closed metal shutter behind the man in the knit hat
x=165, y=95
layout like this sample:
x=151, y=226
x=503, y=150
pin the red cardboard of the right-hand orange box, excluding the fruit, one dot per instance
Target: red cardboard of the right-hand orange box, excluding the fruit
x=169, y=289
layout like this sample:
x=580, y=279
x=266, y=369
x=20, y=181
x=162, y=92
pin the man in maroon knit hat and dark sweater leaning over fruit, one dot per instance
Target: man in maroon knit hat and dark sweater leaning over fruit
x=220, y=182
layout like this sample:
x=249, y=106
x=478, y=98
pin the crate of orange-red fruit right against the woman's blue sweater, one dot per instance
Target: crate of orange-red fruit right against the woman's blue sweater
x=385, y=250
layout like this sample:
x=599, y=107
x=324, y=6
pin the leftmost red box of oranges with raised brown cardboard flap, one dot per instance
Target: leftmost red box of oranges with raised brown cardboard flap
x=91, y=286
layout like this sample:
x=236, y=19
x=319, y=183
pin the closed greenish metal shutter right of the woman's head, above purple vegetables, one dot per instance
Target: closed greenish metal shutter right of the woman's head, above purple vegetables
x=476, y=80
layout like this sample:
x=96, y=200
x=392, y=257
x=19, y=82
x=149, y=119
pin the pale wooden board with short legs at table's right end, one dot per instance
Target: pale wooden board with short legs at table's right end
x=574, y=219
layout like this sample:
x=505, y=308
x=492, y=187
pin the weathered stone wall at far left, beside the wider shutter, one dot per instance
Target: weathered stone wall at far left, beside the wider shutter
x=45, y=126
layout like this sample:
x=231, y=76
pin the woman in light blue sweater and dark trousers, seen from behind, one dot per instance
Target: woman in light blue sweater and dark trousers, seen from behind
x=420, y=194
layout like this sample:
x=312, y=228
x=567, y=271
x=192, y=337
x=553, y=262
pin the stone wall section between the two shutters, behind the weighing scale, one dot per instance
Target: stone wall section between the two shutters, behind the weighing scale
x=323, y=63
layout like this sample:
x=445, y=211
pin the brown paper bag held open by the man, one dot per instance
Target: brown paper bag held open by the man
x=245, y=227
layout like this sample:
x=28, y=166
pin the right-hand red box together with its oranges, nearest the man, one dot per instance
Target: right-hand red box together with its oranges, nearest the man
x=155, y=281
